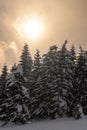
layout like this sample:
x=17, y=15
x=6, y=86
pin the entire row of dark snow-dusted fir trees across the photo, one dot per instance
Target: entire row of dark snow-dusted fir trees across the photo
x=50, y=86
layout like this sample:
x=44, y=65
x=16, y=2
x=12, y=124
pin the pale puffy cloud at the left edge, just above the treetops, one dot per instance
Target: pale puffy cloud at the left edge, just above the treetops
x=8, y=54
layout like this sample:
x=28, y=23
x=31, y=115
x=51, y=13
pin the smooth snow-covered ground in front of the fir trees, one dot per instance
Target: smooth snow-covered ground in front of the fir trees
x=59, y=124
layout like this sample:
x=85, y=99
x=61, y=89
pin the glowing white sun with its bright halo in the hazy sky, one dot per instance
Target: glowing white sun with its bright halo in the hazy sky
x=29, y=28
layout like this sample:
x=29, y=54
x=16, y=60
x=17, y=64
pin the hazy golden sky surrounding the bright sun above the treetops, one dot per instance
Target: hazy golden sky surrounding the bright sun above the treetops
x=61, y=19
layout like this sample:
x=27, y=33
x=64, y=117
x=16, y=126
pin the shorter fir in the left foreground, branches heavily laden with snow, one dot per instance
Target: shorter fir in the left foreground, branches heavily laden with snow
x=15, y=106
